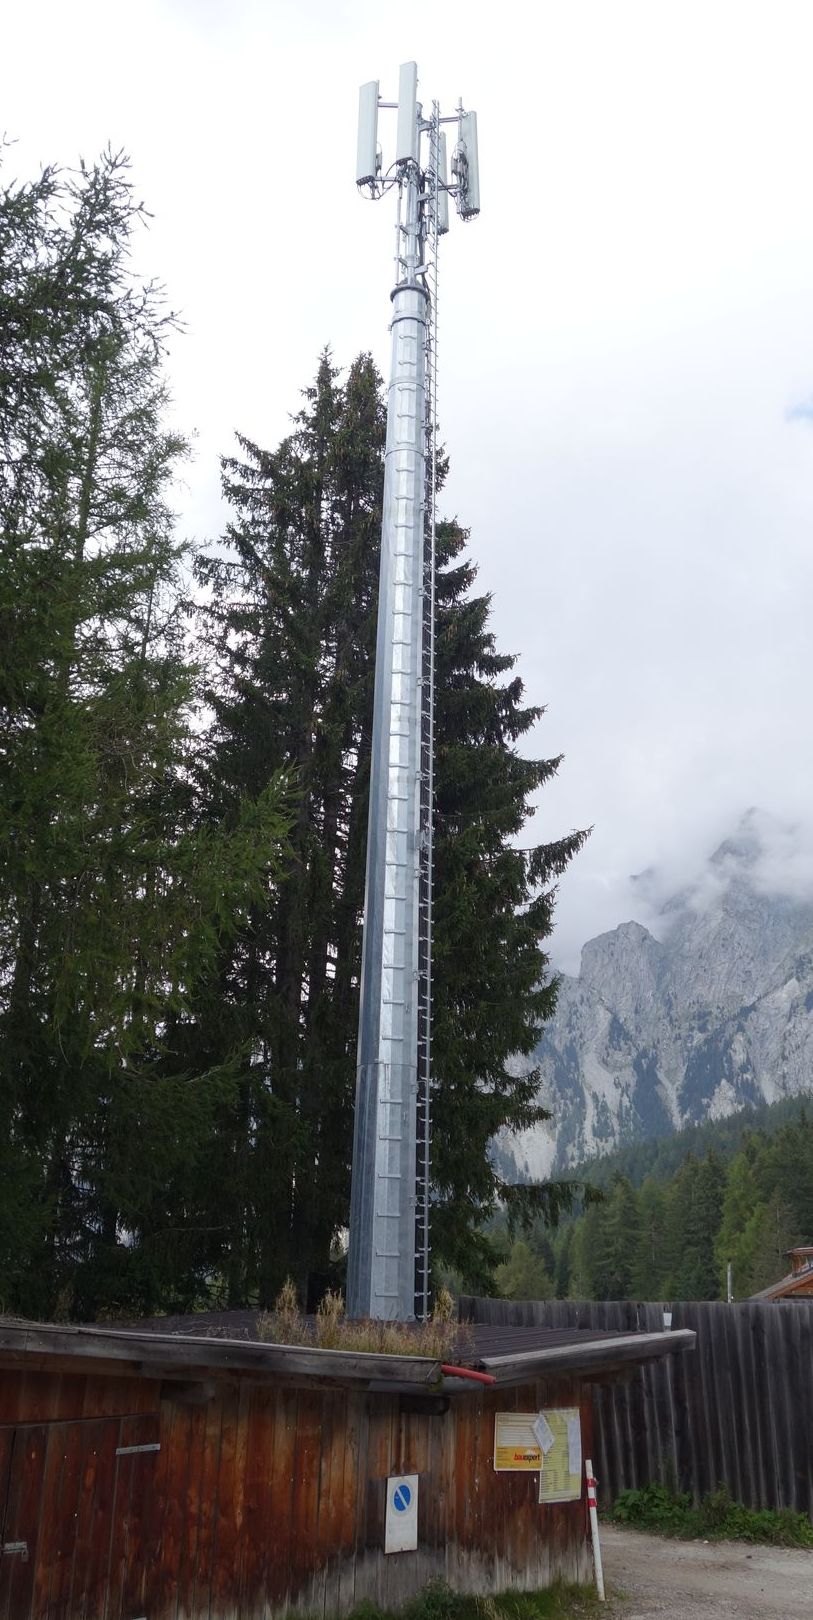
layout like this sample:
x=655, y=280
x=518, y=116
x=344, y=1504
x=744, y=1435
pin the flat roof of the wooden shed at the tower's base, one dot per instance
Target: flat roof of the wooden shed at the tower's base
x=228, y=1345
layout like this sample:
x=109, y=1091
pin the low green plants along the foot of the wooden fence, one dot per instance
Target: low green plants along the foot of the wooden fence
x=717, y=1519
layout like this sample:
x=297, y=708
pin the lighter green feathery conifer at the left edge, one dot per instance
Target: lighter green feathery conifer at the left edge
x=111, y=898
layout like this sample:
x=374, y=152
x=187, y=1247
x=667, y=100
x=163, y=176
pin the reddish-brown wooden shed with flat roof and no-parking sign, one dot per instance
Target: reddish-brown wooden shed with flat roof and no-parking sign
x=192, y=1472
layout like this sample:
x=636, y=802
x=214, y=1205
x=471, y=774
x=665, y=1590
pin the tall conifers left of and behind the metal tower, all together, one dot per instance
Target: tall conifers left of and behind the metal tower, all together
x=184, y=775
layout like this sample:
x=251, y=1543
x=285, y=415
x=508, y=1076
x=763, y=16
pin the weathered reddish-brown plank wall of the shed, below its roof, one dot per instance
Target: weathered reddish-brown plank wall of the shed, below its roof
x=266, y=1499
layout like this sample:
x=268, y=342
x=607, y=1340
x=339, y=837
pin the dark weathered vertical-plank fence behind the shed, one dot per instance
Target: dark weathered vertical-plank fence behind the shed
x=736, y=1412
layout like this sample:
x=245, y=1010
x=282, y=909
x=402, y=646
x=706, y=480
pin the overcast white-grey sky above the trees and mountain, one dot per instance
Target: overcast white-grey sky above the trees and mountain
x=626, y=344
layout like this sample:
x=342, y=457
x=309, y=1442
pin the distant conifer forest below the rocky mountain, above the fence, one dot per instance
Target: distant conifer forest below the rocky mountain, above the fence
x=668, y=1230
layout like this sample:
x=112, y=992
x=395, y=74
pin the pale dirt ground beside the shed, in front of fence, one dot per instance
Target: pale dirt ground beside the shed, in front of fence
x=694, y=1580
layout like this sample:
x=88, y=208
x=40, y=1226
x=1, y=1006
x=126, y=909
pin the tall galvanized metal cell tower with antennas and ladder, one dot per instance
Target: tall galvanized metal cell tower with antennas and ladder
x=389, y=1211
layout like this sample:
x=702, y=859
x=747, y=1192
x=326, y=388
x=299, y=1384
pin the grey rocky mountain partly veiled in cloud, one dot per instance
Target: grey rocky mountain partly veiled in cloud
x=705, y=1013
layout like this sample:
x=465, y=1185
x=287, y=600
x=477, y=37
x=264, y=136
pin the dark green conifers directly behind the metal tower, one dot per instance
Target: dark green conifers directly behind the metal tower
x=291, y=637
